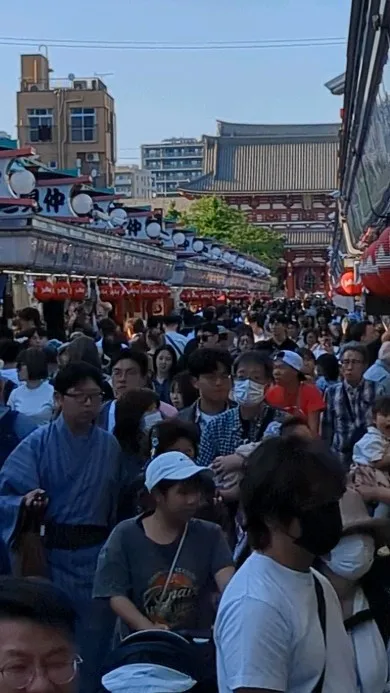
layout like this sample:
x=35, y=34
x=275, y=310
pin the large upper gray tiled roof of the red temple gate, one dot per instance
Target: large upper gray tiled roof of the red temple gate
x=265, y=164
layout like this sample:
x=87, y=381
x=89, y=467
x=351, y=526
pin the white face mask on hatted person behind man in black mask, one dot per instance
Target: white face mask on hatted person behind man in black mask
x=352, y=557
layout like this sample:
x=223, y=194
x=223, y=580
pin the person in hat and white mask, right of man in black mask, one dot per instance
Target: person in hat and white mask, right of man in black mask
x=360, y=581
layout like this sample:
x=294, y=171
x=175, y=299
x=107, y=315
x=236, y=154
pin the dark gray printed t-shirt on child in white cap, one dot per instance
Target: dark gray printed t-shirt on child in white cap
x=132, y=565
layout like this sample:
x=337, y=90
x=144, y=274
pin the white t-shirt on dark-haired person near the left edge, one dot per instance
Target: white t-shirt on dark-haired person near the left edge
x=36, y=403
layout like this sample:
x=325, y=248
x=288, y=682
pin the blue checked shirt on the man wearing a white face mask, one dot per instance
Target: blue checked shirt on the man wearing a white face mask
x=225, y=433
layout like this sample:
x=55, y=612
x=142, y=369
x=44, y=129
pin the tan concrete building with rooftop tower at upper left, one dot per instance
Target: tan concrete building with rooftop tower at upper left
x=71, y=122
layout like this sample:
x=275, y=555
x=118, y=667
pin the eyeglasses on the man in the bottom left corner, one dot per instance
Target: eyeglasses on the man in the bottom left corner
x=21, y=675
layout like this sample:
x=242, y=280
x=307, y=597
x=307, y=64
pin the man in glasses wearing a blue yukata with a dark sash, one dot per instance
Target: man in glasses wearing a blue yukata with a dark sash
x=72, y=468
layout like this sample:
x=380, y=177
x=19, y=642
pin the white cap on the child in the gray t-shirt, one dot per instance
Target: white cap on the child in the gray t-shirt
x=170, y=466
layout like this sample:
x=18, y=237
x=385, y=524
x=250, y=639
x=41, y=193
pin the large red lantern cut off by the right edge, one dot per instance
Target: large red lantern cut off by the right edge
x=375, y=265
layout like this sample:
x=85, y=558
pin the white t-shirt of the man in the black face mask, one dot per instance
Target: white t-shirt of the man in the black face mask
x=268, y=634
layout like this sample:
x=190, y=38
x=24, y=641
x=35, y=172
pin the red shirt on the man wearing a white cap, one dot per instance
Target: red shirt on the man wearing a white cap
x=307, y=400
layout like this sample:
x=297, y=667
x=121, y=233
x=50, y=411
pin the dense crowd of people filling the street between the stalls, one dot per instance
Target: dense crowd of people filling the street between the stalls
x=227, y=470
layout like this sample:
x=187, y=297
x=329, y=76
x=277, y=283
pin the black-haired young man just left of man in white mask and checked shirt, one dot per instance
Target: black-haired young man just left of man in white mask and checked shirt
x=210, y=371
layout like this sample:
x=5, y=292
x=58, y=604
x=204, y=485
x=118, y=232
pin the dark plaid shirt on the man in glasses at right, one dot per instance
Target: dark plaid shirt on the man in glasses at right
x=341, y=422
